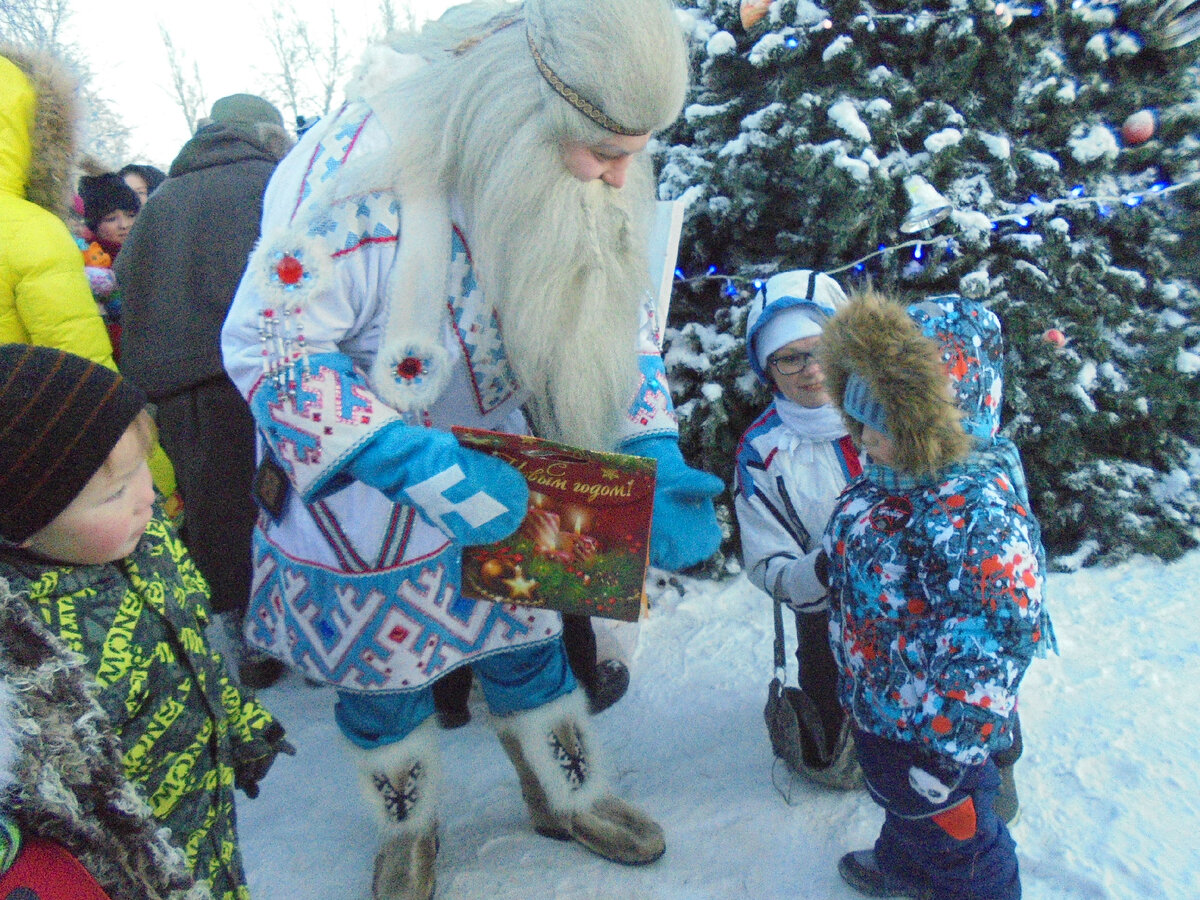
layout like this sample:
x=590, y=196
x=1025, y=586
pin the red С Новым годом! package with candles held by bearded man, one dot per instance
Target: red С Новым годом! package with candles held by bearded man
x=584, y=544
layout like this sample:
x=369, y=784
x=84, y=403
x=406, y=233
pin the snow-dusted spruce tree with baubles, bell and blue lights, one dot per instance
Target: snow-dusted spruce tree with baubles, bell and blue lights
x=1042, y=158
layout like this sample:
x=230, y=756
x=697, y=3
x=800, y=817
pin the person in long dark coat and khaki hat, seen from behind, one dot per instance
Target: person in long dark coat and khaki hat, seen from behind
x=178, y=273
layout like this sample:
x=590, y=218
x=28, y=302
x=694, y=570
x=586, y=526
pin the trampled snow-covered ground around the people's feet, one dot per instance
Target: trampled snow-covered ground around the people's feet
x=1111, y=781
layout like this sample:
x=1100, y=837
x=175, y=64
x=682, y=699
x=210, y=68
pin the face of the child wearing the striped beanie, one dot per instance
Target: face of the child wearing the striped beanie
x=107, y=519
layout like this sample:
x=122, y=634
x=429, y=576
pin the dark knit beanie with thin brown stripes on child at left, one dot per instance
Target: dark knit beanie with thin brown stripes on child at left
x=61, y=417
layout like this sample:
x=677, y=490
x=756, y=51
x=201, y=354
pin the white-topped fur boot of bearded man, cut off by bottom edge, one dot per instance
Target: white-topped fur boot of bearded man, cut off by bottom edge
x=400, y=783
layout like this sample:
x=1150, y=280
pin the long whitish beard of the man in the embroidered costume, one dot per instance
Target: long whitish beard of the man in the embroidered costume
x=565, y=265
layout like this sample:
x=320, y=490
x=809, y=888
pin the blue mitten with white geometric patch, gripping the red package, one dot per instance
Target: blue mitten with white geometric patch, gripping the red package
x=471, y=496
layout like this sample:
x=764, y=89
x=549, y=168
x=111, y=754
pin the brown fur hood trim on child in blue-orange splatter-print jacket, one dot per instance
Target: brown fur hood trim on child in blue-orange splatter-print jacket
x=875, y=339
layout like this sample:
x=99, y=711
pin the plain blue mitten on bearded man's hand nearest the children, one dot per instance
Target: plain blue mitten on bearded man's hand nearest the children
x=685, y=530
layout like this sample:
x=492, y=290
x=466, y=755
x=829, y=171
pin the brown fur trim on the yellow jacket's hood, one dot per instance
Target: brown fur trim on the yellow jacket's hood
x=53, y=136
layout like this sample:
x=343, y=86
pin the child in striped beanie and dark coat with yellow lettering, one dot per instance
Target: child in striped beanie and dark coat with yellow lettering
x=85, y=541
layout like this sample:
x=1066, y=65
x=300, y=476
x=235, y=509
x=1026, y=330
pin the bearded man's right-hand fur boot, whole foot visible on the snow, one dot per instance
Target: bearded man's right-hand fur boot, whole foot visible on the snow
x=555, y=757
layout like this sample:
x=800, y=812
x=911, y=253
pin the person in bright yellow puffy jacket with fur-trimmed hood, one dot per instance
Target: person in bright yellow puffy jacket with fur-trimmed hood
x=45, y=297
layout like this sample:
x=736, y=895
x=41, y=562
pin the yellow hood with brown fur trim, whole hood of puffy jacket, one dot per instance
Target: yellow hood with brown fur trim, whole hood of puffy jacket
x=39, y=118
